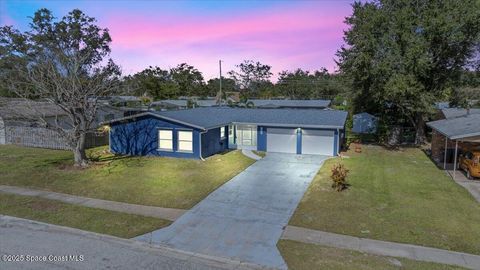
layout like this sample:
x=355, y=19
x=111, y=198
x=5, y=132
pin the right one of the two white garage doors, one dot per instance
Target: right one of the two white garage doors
x=317, y=142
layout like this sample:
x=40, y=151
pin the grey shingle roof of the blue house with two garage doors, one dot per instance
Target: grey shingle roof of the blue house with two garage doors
x=206, y=118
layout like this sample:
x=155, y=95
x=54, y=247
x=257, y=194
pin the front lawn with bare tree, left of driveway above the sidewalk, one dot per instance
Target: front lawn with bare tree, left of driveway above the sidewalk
x=165, y=182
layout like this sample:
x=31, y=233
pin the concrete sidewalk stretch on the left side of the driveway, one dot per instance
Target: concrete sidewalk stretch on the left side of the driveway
x=143, y=210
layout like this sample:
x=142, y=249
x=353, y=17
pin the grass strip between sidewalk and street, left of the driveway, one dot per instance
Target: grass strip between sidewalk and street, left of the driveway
x=85, y=218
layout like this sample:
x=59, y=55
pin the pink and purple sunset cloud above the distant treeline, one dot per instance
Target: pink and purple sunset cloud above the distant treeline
x=303, y=37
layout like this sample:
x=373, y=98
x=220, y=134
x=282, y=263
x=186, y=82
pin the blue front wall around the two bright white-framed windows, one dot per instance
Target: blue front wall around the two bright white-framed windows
x=140, y=138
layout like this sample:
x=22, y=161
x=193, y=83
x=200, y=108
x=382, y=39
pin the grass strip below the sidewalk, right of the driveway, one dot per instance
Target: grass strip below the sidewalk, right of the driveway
x=308, y=256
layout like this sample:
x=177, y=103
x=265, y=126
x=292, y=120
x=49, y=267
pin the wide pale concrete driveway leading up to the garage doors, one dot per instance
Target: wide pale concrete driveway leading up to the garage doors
x=244, y=218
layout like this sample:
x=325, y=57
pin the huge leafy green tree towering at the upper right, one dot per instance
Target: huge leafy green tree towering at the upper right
x=403, y=55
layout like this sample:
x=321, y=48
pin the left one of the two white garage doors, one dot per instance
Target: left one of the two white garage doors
x=282, y=140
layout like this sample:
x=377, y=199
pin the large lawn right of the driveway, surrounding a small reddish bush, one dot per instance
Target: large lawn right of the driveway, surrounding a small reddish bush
x=398, y=196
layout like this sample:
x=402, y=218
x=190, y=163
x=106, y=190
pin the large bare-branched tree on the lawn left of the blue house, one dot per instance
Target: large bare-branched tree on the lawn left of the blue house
x=64, y=63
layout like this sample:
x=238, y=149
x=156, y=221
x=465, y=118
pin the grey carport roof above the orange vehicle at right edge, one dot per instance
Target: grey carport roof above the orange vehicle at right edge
x=459, y=127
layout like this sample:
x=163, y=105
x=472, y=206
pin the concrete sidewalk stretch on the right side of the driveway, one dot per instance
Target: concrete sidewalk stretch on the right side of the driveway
x=382, y=248
